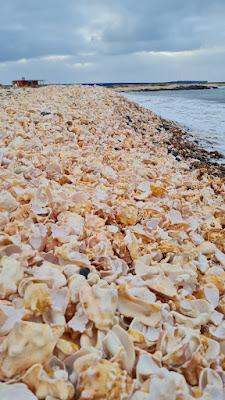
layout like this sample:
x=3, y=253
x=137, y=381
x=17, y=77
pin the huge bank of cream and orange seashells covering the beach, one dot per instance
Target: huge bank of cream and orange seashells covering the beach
x=112, y=264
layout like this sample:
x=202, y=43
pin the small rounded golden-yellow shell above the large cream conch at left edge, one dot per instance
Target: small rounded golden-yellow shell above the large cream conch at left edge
x=37, y=298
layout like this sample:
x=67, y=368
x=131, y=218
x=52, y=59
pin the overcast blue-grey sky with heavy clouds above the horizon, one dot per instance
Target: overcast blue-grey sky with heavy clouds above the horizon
x=112, y=40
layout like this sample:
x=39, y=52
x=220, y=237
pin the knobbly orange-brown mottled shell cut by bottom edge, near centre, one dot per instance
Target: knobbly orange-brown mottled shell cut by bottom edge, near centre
x=108, y=382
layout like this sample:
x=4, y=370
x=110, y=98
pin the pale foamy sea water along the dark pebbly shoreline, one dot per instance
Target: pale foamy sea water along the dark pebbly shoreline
x=200, y=111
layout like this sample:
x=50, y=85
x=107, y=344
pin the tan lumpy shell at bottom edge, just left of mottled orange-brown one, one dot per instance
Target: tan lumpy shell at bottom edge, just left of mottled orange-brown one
x=37, y=379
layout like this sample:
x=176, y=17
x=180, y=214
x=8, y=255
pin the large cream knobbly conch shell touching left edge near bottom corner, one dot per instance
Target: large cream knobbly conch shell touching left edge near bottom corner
x=27, y=343
